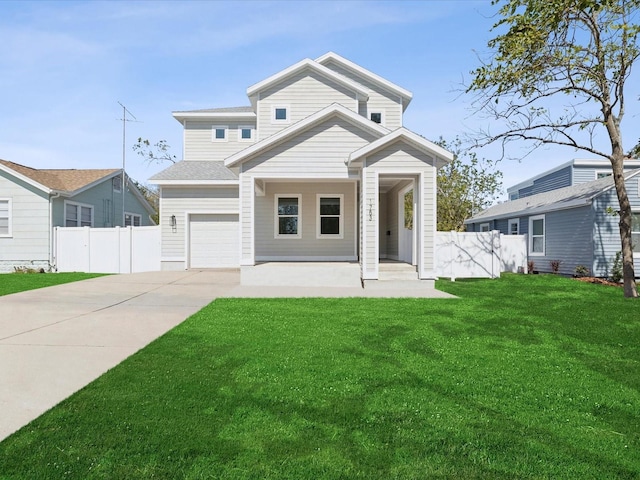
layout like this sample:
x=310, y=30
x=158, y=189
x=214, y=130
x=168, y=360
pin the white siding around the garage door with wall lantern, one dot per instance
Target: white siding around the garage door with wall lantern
x=180, y=201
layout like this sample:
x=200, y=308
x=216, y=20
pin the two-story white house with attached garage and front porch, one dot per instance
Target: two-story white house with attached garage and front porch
x=314, y=169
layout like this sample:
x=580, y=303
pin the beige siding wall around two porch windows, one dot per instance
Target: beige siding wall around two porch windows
x=308, y=246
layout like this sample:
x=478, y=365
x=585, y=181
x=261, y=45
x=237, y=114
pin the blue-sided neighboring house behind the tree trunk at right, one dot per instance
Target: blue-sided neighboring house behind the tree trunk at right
x=571, y=223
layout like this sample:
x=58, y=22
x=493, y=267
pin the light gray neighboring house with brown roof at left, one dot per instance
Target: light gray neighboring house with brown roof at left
x=34, y=201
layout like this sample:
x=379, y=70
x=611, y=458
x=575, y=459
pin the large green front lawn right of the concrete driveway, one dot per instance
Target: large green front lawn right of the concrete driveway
x=524, y=377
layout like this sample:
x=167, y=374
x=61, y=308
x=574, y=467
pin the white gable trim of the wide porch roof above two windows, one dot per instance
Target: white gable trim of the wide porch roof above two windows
x=332, y=110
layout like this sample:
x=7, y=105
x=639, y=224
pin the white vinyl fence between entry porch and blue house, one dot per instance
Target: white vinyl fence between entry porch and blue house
x=479, y=254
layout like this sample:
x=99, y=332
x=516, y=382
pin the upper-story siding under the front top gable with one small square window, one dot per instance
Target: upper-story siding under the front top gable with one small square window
x=303, y=94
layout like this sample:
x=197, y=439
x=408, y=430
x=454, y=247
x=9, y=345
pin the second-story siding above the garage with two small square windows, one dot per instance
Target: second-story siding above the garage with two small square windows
x=199, y=144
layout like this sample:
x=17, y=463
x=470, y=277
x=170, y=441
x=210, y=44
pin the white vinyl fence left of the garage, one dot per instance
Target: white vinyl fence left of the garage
x=107, y=250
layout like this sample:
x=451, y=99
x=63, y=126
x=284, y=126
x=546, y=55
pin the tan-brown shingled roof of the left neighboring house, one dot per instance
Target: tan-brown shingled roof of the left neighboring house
x=69, y=181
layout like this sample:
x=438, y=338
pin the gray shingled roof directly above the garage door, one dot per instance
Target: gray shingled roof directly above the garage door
x=195, y=172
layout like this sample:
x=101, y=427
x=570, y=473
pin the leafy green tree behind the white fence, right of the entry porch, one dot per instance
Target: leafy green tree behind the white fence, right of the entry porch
x=466, y=186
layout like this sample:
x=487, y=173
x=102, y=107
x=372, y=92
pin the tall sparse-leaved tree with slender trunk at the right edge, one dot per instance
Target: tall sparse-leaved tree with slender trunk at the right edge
x=557, y=75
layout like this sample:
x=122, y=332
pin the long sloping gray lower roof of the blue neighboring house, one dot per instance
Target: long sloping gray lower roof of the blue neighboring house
x=559, y=199
